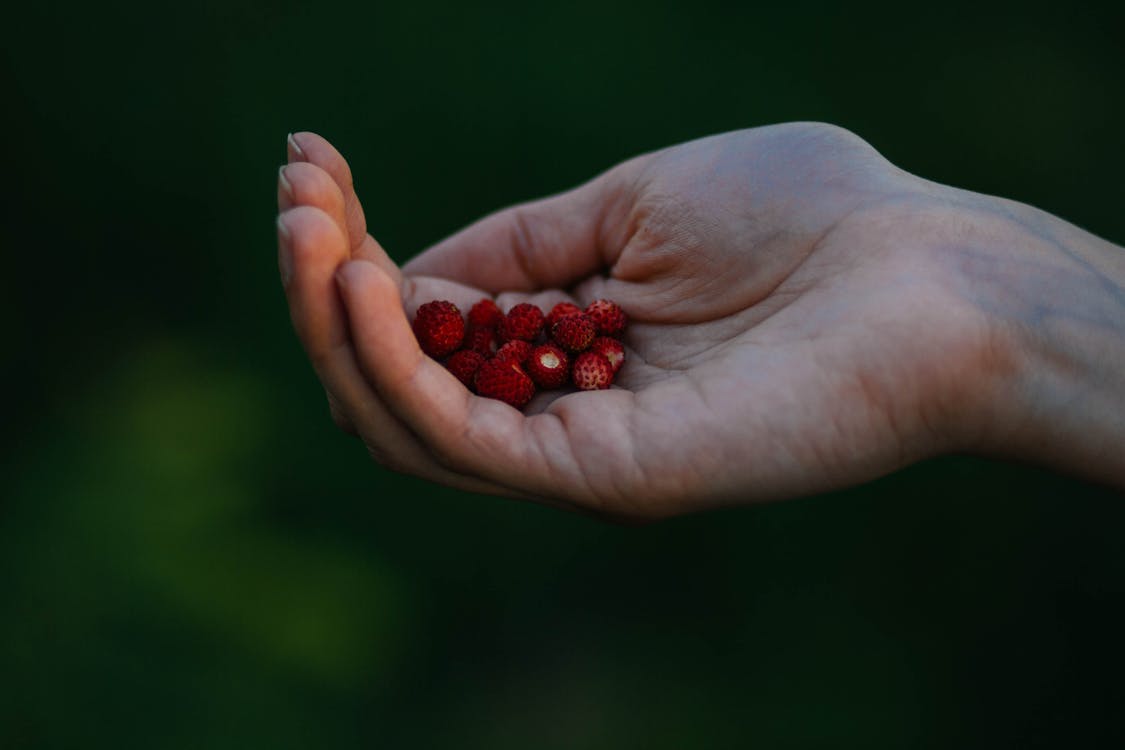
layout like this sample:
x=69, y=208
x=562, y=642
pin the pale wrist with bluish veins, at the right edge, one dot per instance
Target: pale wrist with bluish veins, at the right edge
x=1055, y=301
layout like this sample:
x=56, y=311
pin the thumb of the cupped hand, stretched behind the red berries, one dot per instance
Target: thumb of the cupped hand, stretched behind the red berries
x=547, y=243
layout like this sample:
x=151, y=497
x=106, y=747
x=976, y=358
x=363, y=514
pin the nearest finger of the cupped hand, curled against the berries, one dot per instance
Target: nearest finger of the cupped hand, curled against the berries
x=469, y=435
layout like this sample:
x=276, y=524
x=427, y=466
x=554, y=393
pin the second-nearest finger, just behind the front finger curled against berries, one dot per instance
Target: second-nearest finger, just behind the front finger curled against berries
x=316, y=248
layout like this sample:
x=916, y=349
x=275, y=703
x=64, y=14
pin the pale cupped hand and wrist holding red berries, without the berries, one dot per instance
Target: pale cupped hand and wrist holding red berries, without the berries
x=804, y=317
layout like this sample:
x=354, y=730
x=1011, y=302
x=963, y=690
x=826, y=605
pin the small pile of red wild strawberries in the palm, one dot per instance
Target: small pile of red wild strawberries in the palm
x=507, y=357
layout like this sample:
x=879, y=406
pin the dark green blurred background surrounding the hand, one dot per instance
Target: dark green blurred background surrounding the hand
x=192, y=556
